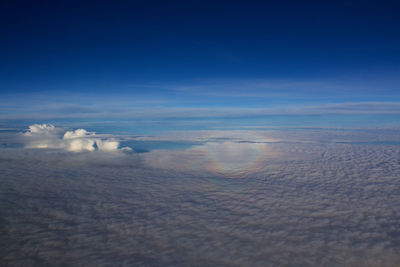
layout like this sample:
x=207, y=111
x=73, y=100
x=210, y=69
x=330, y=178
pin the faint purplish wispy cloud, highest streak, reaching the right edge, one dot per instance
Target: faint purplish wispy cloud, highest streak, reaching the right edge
x=316, y=88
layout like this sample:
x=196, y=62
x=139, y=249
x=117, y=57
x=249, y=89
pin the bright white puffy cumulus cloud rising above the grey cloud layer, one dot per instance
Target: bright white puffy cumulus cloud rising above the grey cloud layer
x=48, y=136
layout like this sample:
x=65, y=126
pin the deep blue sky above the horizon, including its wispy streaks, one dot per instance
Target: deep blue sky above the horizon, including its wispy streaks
x=77, y=56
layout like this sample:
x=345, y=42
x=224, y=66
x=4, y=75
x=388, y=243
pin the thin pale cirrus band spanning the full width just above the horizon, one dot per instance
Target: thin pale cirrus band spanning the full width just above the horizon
x=153, y=112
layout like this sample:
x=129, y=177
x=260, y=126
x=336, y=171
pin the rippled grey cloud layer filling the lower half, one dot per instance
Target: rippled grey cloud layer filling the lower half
x=317, y=204
